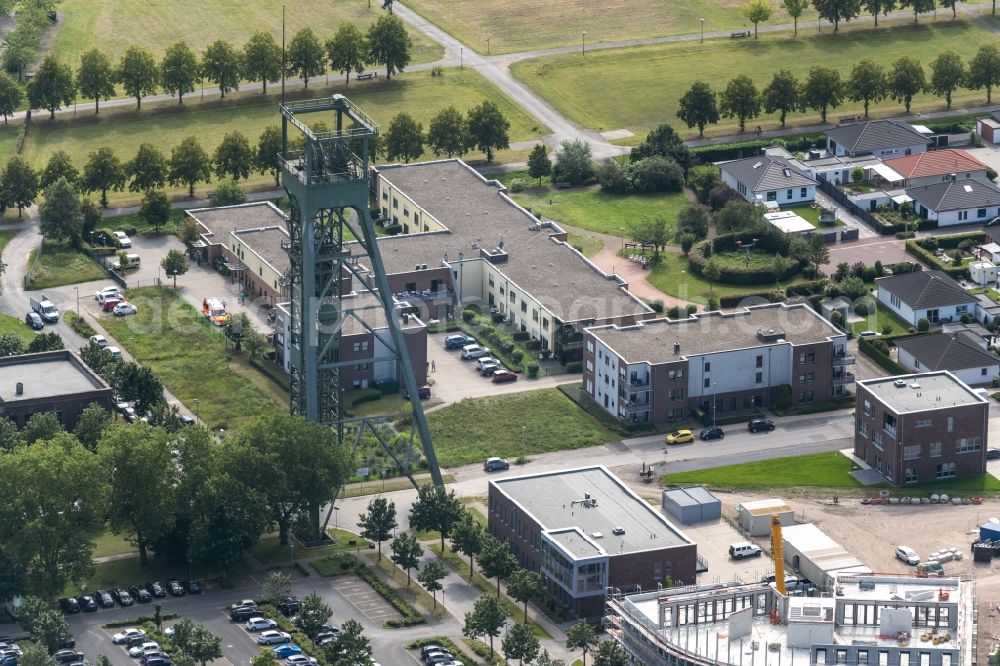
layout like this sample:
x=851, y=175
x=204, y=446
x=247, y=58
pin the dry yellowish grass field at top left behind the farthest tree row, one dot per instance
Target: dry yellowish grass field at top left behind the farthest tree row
x=114, y=25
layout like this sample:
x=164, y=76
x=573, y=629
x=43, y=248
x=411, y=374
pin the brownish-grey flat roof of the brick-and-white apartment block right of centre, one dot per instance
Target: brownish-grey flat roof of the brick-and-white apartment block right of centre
x=652, y=341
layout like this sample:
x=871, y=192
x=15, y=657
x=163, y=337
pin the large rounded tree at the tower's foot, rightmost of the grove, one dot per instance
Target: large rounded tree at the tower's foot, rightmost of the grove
x=295, y=466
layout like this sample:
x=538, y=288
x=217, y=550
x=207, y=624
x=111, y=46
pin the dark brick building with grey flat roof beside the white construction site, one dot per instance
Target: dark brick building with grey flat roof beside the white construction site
x=585, y=531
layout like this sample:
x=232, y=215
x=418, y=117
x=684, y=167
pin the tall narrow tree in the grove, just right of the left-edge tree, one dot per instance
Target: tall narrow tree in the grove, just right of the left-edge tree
x=140, y=473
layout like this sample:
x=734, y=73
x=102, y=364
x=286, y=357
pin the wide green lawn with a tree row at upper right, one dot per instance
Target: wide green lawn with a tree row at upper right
x=659, y=75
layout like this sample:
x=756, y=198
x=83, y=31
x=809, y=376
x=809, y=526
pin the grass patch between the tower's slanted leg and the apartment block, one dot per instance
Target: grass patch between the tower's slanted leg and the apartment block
x=546, y=420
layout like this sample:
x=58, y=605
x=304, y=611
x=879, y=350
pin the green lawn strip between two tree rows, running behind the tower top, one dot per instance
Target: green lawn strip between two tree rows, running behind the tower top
x=166, y=125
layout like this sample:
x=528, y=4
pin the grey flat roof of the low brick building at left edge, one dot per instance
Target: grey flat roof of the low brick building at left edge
x=46, y=375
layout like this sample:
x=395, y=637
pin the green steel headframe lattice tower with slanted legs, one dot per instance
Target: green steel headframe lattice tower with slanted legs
x=327, y=180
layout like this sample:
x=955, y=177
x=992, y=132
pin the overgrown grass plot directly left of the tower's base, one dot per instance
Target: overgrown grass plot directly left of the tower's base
x=189, y=357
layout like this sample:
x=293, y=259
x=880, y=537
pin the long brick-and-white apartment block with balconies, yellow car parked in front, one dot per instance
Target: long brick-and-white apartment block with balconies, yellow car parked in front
x=661, y=370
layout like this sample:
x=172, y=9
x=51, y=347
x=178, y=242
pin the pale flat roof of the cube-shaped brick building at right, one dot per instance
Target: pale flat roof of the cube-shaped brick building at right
x=922, y=391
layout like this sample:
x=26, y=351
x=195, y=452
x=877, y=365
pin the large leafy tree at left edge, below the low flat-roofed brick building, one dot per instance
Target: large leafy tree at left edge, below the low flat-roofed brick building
x=53, y=520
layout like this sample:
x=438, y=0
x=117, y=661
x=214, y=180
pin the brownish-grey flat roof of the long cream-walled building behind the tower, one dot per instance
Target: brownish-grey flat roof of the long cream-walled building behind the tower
x=476, y=210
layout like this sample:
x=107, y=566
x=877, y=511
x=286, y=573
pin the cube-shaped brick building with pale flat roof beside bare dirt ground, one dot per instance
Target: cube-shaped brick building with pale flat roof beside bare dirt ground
x=921, y=428
